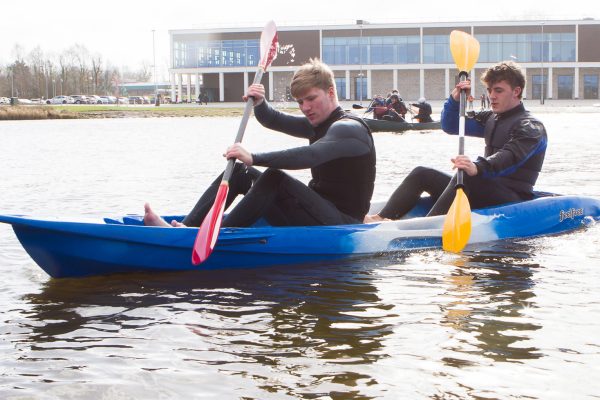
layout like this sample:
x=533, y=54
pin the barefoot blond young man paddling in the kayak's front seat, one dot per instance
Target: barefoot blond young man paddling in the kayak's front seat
x=340, y=155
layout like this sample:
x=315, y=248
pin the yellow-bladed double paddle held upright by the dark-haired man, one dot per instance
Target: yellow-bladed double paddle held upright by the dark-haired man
x=457, y=224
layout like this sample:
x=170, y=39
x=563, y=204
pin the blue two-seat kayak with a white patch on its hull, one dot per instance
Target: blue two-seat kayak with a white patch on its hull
x=79, y=247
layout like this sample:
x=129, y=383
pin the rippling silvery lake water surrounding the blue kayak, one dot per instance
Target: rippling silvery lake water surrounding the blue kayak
x=511, y=319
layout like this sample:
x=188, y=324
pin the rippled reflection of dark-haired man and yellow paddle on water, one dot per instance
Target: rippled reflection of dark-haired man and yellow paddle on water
x=490, y=287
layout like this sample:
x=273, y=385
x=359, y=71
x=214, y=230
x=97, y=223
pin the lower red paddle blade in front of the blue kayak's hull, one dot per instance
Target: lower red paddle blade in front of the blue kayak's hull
x=209, y=230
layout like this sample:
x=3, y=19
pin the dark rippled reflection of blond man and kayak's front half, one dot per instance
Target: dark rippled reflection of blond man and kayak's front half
x=267, y=319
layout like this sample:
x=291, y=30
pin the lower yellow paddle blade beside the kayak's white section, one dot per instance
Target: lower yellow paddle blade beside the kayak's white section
x=457, y=225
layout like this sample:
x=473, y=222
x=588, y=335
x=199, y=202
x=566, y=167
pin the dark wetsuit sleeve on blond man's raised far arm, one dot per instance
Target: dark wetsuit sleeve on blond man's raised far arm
x=294, y=125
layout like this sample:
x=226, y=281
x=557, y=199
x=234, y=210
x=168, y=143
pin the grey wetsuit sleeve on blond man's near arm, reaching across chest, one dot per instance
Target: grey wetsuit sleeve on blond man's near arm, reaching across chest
x=345, y=138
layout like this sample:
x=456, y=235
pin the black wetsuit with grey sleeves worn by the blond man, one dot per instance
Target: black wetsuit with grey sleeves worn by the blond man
x=341, y=156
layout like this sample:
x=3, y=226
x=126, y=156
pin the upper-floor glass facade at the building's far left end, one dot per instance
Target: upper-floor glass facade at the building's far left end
x=216, y=53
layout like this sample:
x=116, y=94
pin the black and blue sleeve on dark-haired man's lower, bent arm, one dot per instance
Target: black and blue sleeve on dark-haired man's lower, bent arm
x=527, y=138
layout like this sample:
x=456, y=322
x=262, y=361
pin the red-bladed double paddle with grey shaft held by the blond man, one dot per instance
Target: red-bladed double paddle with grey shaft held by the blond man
x=209, y=230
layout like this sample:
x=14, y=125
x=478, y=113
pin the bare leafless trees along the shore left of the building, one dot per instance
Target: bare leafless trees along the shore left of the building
x=74, y=71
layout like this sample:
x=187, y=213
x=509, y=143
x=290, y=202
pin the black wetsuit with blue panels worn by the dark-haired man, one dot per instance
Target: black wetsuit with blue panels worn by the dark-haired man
x=514, y=153
